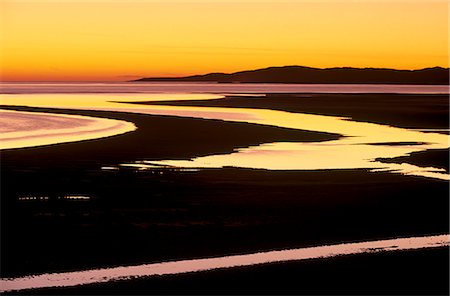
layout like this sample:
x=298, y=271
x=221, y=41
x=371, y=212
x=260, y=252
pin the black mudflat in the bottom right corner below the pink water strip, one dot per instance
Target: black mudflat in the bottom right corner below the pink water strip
x=396, y=273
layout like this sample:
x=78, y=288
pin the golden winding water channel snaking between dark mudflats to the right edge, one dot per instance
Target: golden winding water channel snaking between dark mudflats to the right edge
x=355, y=150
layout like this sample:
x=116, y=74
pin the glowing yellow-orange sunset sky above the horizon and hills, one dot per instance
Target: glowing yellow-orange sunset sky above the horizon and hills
x=116, y=40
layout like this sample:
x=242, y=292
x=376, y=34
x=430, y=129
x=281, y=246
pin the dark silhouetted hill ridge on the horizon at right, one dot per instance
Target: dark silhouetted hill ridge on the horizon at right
x=300, y=74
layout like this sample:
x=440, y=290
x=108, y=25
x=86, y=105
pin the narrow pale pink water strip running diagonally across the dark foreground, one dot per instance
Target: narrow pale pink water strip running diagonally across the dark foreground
x=67, y=279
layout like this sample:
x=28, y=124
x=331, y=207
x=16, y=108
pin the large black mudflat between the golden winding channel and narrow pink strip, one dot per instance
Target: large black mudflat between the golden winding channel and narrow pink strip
x=136, y=217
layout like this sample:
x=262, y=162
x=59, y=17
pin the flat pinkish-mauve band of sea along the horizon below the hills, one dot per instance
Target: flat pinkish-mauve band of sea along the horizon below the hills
x=154, y=87
